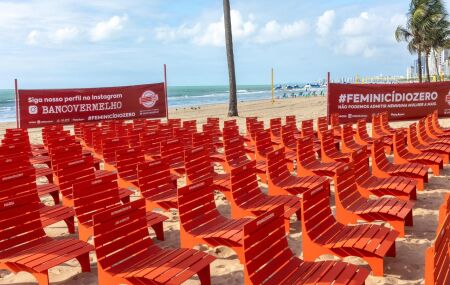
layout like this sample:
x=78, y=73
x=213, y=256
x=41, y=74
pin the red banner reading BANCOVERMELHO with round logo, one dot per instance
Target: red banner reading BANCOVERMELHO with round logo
x=38, y=108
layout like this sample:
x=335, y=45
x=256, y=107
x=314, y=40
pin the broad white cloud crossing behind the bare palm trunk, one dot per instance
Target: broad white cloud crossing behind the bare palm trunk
x=244, y=28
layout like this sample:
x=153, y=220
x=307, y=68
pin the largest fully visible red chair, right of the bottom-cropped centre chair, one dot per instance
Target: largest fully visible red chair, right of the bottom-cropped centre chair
x=322, y=234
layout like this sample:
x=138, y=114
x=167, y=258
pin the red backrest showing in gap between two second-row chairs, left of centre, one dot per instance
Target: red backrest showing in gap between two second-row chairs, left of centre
x=154, y=178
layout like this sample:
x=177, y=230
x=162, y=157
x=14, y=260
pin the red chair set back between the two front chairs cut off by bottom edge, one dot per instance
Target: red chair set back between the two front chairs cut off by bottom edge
x=201, y=222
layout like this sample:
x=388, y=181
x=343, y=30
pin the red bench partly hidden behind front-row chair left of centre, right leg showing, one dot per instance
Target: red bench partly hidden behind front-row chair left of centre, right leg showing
x=97, y=194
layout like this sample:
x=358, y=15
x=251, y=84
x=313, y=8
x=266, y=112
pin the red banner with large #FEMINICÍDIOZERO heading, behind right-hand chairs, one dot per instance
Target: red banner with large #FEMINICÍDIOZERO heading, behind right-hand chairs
x=402, y=101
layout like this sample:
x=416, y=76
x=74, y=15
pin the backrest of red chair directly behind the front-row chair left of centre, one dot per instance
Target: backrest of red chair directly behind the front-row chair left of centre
x=94, y=195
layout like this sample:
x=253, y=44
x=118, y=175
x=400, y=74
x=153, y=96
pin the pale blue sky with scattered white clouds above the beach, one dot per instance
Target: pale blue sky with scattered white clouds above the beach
x=69, y=43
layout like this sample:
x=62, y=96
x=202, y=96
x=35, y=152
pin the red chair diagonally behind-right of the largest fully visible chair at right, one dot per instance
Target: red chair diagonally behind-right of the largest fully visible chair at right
x=351, y=206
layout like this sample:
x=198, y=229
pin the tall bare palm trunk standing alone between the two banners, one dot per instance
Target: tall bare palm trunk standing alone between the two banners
x=232, y=108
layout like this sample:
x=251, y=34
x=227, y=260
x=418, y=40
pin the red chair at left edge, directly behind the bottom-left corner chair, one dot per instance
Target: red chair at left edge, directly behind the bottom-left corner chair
x=23, y=182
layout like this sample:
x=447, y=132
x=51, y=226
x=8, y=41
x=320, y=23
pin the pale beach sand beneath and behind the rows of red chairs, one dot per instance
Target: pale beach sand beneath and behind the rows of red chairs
x=406, y=268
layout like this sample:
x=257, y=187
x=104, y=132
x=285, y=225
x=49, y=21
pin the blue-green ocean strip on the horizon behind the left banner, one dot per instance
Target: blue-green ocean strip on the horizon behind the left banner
x=180, y=97
